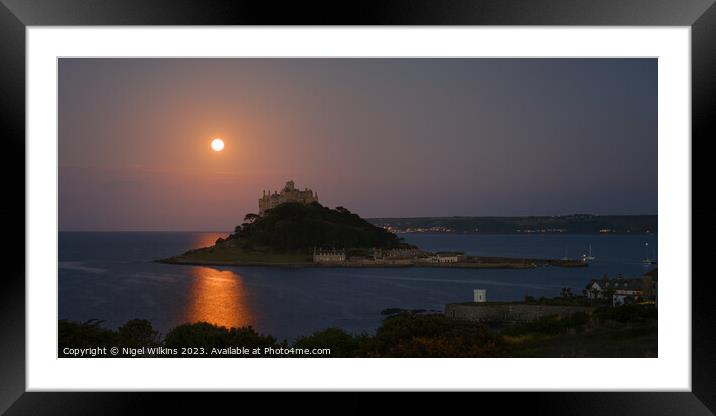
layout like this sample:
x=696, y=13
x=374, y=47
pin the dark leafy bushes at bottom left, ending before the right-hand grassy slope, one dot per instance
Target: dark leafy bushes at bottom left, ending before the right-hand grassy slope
x=403, y=335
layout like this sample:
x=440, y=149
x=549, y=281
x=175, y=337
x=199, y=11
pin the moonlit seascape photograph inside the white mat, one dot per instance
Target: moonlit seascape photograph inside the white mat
x=357, y=207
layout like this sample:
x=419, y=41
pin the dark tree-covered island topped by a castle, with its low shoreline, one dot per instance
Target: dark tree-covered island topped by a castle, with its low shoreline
x=295, y=230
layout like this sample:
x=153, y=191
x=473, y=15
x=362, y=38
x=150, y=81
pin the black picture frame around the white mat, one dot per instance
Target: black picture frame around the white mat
x=15, y=15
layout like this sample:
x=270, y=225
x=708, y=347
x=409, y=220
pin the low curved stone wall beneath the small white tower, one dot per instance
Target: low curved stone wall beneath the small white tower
x=508, y=312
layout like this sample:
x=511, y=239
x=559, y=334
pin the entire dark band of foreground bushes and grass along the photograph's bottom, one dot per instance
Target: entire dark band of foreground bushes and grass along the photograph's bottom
x=402, y=335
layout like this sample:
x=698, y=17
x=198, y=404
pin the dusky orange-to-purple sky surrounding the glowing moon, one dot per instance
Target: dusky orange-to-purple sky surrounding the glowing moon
x=381, y=137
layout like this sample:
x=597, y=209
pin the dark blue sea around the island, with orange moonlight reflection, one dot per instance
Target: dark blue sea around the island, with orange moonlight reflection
x=112, y=277
